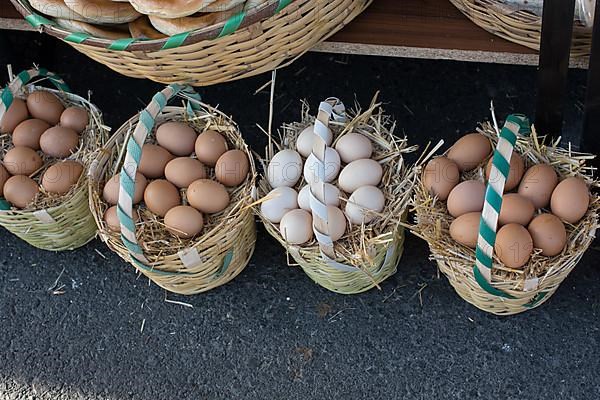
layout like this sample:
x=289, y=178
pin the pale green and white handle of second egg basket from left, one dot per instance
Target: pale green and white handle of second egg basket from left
x=147, y=119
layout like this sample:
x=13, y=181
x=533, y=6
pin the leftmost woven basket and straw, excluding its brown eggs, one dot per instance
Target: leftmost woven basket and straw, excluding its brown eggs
x=54, y=223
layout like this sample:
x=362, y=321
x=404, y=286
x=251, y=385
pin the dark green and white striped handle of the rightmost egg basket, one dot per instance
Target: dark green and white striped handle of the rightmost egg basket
x=515, y=124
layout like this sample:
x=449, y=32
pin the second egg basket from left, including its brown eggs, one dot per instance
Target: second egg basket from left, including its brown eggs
x=172, y=192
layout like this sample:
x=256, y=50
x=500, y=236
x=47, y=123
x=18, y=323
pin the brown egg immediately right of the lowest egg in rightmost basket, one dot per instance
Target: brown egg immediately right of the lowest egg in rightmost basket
x=548, y=233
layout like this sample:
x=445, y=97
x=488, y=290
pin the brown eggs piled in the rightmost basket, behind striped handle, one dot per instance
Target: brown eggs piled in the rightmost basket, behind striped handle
x=535, y=205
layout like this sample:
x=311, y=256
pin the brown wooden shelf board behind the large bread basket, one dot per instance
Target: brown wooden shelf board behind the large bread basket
x=432, y=29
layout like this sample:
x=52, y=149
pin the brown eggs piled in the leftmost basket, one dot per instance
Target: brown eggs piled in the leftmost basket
x=41, y=129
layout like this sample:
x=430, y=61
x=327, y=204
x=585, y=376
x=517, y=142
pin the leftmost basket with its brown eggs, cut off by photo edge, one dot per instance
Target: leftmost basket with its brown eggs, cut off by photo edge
x=46, y=142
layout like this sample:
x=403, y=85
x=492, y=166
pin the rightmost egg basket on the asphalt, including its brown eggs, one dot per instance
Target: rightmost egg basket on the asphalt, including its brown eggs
x=507, y=226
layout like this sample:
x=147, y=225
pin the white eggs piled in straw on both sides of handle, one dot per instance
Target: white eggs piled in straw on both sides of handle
x=350, y=173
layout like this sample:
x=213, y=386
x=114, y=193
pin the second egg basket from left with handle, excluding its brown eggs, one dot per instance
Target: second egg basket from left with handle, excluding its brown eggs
x=190, y=266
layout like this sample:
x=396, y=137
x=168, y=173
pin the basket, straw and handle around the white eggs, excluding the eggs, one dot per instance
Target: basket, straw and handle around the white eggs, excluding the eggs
x=366, y=254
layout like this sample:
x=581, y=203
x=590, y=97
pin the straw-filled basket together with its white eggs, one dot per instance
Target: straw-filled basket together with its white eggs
x=335, y=195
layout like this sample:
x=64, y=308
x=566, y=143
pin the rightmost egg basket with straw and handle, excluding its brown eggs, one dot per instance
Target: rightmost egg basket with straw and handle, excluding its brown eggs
x=506, y=291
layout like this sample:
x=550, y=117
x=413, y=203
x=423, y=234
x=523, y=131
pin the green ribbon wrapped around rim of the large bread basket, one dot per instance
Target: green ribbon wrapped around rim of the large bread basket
x=230, y=26
